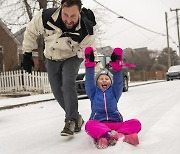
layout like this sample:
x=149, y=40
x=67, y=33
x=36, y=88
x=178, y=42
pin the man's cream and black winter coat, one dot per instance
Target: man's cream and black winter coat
x=60, y=43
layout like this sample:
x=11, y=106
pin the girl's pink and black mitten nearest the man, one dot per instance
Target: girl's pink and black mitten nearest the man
x=89, y=57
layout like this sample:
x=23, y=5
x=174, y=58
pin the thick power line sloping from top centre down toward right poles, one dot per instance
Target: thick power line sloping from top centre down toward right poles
x=119, y=16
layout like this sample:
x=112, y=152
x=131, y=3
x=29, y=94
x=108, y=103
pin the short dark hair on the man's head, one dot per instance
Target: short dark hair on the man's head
x=69, y=3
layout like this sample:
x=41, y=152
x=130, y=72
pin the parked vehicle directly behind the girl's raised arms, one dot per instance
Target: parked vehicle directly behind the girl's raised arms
x=80, y=81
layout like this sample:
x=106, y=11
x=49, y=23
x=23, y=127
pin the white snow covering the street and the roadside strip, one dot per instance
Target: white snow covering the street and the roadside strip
x=35, y=129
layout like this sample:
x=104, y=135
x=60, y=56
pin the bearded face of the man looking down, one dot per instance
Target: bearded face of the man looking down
x=70, y=16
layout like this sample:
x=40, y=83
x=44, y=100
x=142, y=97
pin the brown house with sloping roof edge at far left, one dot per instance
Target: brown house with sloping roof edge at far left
x=8, y=49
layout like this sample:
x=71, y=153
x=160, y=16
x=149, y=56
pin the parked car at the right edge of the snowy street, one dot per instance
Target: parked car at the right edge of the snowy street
x=173, y=73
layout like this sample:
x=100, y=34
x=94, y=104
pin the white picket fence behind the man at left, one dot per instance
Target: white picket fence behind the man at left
x=16, y=81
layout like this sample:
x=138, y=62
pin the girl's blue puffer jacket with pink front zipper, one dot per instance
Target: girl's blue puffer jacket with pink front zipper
x=104, y=104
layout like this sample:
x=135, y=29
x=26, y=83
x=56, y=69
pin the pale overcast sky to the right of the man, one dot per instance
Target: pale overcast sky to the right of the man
x=147, y=13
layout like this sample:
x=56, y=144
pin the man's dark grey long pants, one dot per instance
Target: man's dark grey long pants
x=62, y=77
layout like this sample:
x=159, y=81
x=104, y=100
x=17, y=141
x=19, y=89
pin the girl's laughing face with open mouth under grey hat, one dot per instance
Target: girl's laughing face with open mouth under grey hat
x=103, y=82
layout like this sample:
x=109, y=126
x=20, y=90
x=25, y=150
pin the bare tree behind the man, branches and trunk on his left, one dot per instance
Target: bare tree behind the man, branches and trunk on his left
x=20, y=12
